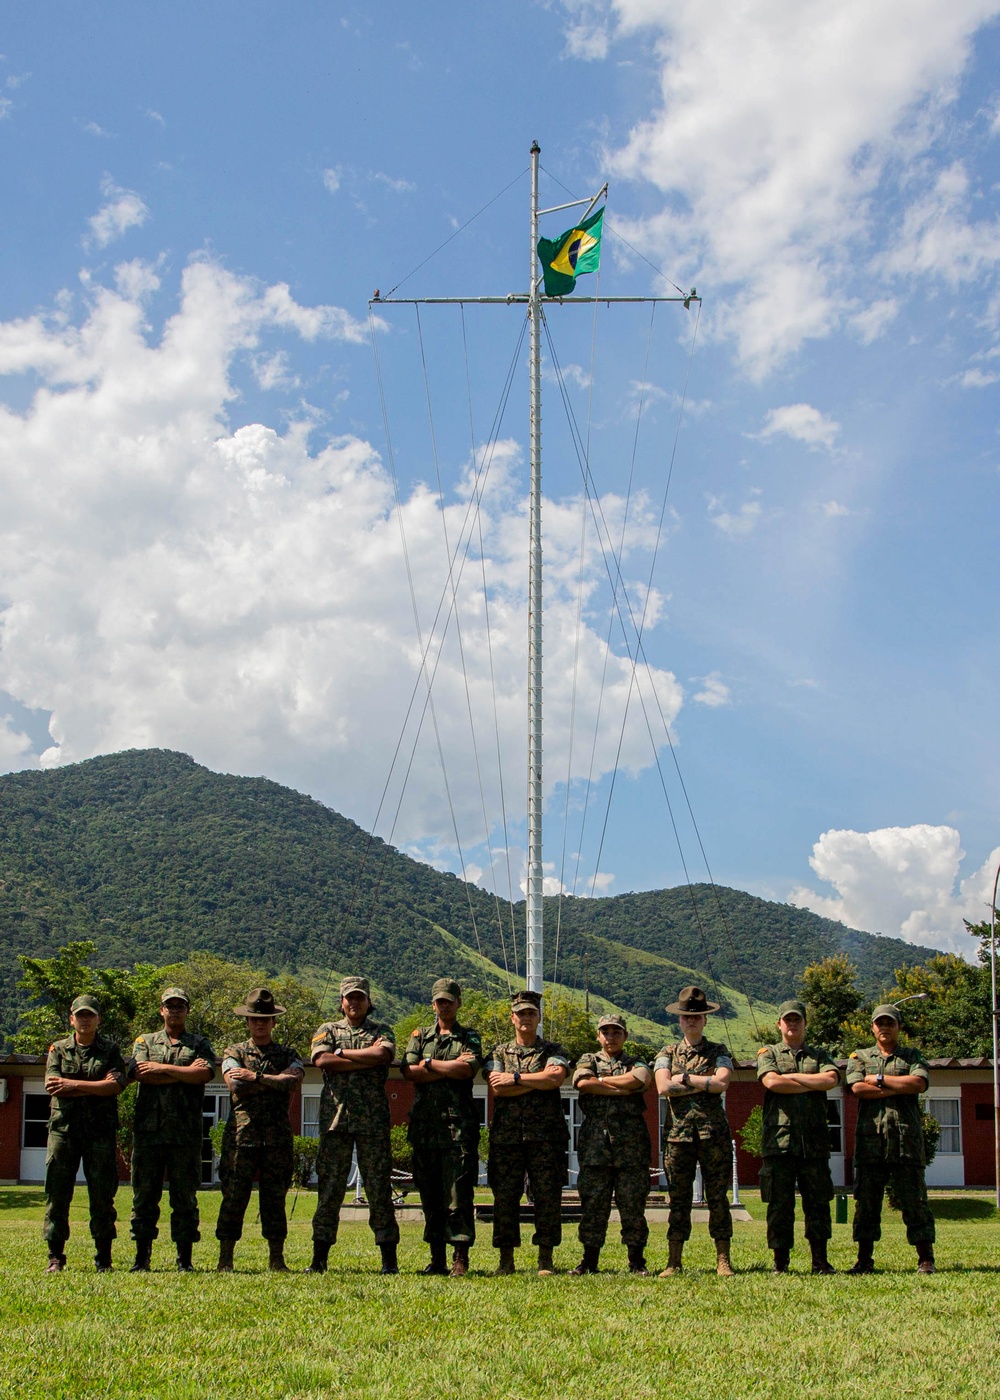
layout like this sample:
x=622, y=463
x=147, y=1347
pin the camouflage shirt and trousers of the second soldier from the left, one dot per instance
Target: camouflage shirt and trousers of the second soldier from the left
x=169, y=1133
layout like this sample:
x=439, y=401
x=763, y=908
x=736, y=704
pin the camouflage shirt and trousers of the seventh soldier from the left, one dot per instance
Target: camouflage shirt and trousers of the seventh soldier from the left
x=614, y=1153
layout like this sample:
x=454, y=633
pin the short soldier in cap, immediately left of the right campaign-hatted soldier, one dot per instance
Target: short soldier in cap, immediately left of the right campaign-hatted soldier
x=614, y=1147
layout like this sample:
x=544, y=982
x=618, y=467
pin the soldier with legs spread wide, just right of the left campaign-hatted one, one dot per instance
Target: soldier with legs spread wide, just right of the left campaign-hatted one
x=355, y=1055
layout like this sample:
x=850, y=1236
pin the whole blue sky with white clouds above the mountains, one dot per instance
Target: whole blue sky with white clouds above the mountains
x=202, y=541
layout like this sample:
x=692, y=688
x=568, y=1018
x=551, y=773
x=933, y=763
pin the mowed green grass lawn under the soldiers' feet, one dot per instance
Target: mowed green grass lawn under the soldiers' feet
x=352, y=1332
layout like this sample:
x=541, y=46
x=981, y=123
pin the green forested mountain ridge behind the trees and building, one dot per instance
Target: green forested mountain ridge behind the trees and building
x=155, y=857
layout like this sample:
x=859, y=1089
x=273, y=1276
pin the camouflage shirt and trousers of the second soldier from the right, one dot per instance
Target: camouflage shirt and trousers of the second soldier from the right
x=796, y=1147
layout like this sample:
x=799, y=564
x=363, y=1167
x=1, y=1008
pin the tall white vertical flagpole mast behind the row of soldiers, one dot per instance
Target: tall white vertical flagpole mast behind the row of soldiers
x=534, y=873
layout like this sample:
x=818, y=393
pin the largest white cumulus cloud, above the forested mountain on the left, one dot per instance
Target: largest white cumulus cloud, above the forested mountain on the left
x=242, y=594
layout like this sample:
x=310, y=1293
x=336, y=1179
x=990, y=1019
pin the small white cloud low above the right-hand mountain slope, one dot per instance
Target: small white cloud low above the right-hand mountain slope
x=901, y=881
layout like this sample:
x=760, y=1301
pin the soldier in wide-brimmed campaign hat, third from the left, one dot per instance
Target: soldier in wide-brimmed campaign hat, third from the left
x=258, y=1142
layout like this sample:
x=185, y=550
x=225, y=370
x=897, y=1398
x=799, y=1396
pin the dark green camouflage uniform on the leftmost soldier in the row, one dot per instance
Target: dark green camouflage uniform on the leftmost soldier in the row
x=82, y=1130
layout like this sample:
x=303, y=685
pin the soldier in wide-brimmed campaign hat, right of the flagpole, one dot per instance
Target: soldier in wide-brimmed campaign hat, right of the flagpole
x=693, y=1076
